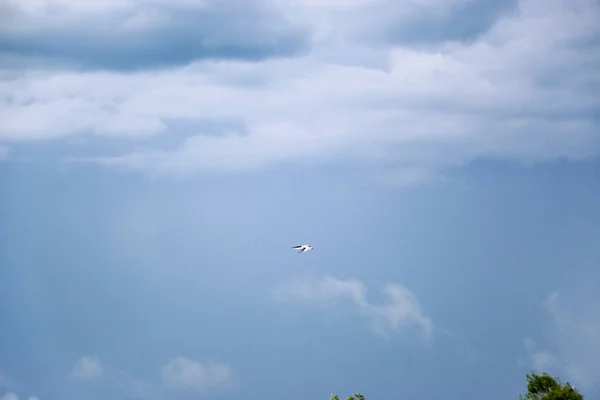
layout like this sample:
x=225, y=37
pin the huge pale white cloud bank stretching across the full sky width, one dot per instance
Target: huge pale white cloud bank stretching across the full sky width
x=522, y=89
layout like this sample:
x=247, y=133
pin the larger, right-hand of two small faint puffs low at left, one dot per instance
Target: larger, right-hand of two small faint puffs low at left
x=185, y=374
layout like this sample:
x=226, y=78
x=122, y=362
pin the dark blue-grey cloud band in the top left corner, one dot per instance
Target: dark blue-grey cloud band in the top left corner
x=130, y=35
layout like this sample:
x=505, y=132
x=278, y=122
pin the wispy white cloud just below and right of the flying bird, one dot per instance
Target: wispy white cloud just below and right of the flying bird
x=400, y=309
